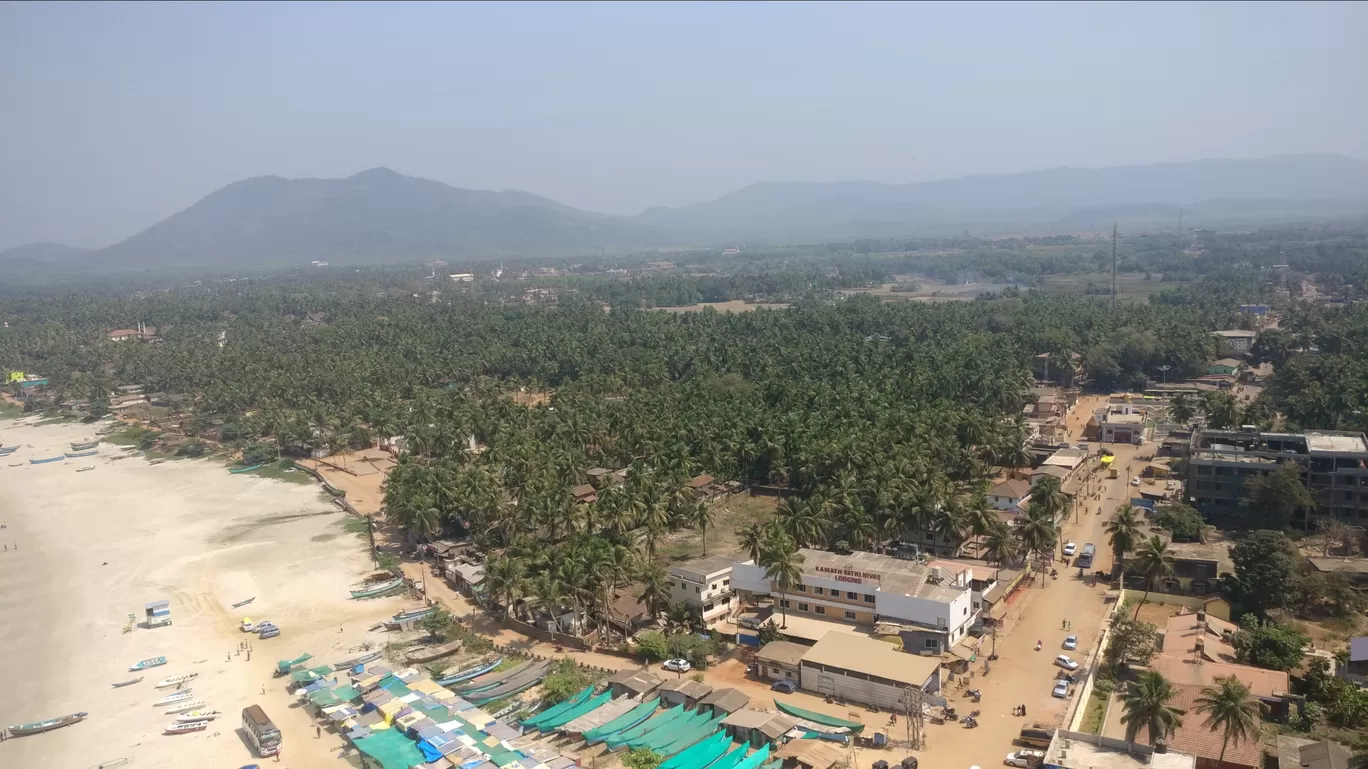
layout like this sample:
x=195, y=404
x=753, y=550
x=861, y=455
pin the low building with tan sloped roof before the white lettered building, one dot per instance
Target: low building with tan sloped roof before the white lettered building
x=867, y=671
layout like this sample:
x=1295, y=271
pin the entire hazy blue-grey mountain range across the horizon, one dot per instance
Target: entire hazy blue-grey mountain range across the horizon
x=381, y=216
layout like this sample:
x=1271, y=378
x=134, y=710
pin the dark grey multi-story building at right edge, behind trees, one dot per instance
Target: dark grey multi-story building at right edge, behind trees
x=1334, y=466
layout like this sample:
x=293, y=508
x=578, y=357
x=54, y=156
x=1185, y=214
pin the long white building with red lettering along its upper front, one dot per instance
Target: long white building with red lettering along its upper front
x=934, y=603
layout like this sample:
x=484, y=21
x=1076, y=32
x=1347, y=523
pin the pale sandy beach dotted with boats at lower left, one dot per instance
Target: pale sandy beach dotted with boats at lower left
x=96, y=547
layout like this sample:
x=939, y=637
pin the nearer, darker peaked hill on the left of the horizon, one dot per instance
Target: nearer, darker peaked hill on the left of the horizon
x=376, y=216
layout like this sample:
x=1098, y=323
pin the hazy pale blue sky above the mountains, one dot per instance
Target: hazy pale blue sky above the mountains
x=117, y=116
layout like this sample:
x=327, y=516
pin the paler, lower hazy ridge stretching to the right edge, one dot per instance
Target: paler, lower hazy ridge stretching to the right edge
x=1307, y=185
